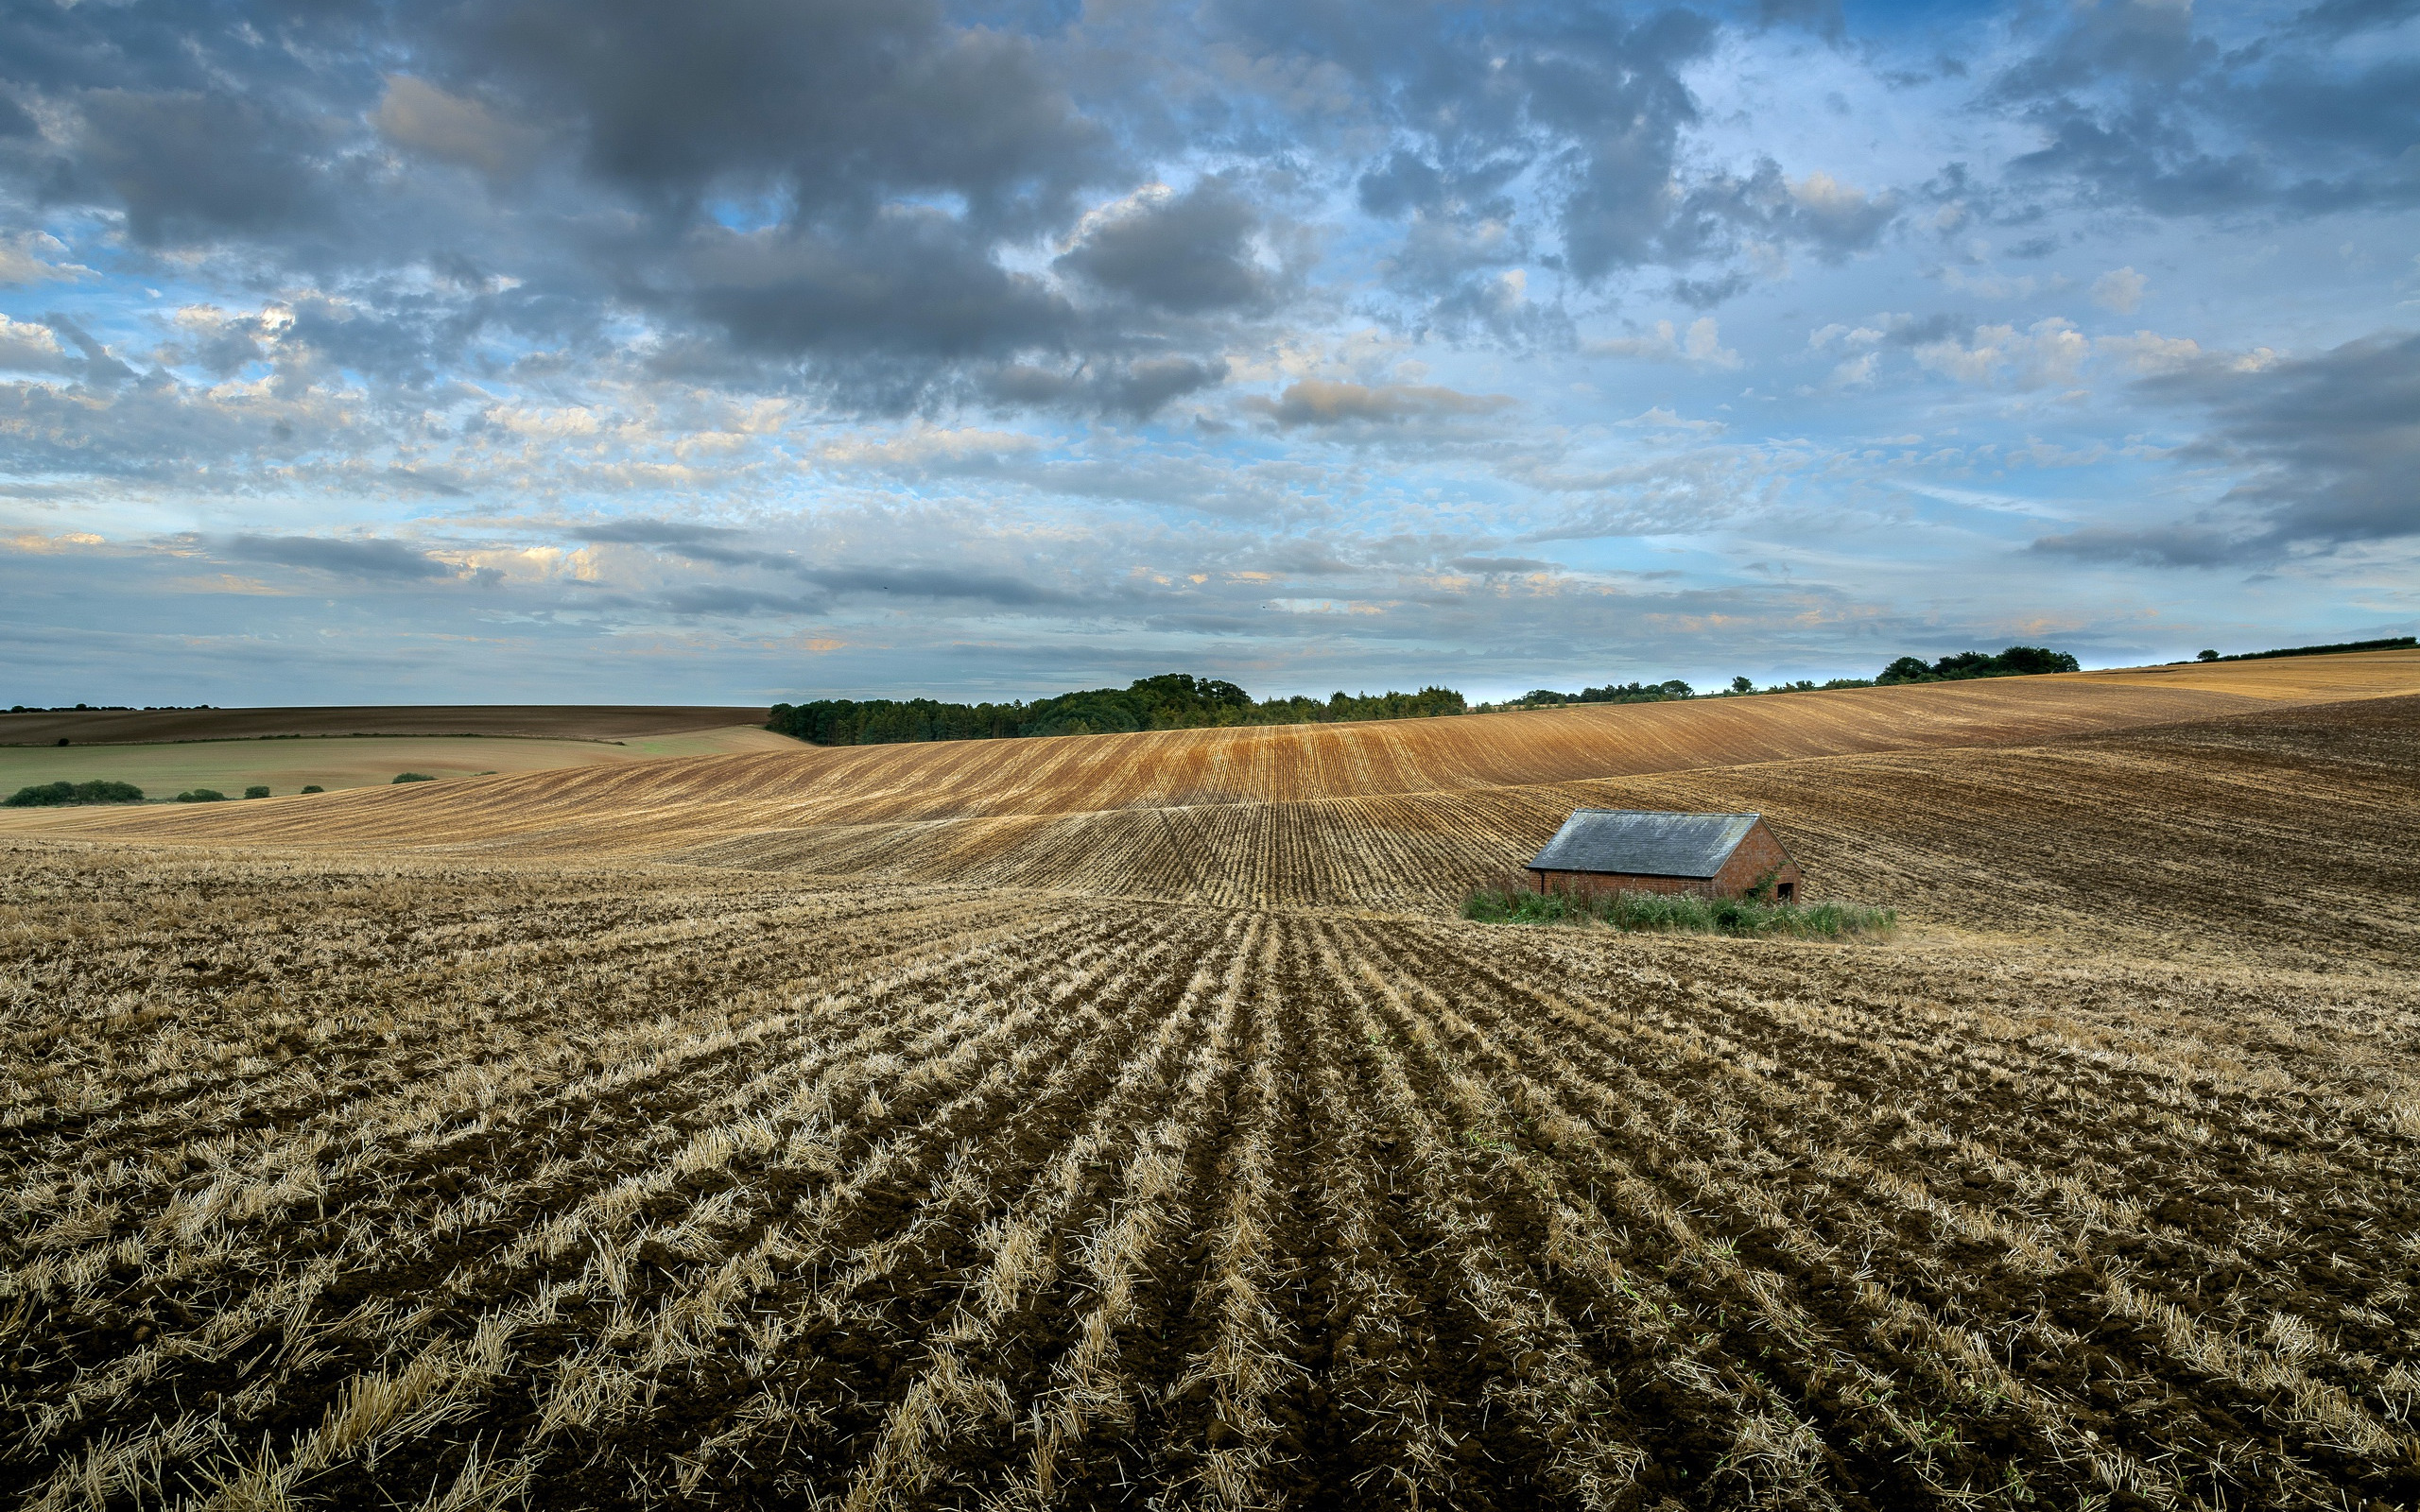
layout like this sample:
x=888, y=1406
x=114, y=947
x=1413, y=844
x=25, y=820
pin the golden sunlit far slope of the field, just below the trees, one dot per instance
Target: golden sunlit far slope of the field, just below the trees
x=824, y=809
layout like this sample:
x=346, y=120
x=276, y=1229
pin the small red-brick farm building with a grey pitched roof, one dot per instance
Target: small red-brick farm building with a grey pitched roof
x=1613, y=850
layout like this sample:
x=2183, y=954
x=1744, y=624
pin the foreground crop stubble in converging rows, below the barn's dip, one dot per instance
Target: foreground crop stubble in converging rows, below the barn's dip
x=594, y=1189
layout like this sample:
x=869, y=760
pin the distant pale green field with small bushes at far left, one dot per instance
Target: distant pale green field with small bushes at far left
x=345, y=761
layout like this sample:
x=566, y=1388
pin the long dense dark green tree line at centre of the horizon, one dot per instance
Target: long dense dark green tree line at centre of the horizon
x=1168, y=703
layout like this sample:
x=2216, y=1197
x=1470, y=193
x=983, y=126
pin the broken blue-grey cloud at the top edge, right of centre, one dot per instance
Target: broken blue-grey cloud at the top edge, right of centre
x=1562, y=120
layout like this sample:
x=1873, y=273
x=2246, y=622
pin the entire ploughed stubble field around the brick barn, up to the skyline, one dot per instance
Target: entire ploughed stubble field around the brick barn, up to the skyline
x=1129, y=1121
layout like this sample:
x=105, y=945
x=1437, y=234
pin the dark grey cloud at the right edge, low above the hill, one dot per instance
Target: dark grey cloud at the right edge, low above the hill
x=2332, y=442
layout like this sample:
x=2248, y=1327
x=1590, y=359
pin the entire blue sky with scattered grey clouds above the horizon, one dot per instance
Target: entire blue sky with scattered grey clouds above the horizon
x=776, y=350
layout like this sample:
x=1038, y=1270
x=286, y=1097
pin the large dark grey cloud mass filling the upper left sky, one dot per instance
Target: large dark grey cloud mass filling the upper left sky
x=822, y=185
